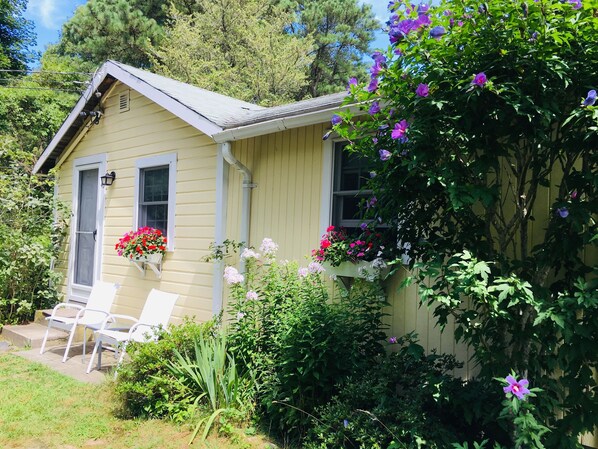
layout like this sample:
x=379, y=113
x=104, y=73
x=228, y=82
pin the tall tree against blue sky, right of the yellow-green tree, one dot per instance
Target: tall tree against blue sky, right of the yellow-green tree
x=342, y=31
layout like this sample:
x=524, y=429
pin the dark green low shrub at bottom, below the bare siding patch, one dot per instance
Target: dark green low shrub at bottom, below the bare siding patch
x=408, y=398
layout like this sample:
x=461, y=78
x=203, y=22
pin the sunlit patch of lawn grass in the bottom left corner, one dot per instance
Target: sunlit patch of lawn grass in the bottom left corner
x=41, y=409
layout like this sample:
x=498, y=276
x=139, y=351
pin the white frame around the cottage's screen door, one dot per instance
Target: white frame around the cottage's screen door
x=76, y=292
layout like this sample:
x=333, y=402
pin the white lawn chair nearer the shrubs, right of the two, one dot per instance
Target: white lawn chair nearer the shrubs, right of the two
x=156, y=312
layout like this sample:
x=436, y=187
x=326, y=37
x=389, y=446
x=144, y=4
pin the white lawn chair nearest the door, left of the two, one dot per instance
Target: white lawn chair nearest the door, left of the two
x=93, y=314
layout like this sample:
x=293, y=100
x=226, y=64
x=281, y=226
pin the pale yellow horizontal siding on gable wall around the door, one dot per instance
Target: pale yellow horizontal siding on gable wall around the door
x=148, y=130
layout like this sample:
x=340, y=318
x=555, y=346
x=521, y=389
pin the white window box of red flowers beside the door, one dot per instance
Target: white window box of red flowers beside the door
x=143, y=248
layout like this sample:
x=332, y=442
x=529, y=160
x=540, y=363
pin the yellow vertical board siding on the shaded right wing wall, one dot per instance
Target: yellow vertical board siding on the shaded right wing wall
x=285, y=206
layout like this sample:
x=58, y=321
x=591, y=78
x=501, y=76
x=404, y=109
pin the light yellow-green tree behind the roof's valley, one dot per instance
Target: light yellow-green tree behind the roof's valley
x=237, y=48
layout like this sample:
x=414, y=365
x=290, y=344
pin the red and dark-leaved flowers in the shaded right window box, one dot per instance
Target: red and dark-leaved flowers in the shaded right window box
x=338, y=246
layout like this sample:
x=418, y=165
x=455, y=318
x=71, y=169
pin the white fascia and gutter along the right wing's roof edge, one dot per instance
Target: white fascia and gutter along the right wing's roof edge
x=281, y=124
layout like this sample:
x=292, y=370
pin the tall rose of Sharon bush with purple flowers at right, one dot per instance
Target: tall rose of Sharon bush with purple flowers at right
x=484, y=127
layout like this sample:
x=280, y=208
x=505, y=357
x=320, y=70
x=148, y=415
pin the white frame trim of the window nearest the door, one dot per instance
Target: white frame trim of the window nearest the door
x=169, y=160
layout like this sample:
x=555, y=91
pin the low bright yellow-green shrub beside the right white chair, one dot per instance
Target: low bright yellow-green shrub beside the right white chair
x=146, y=387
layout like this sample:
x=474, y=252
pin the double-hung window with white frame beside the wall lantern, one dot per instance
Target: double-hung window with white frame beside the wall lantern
x=155, y=194
